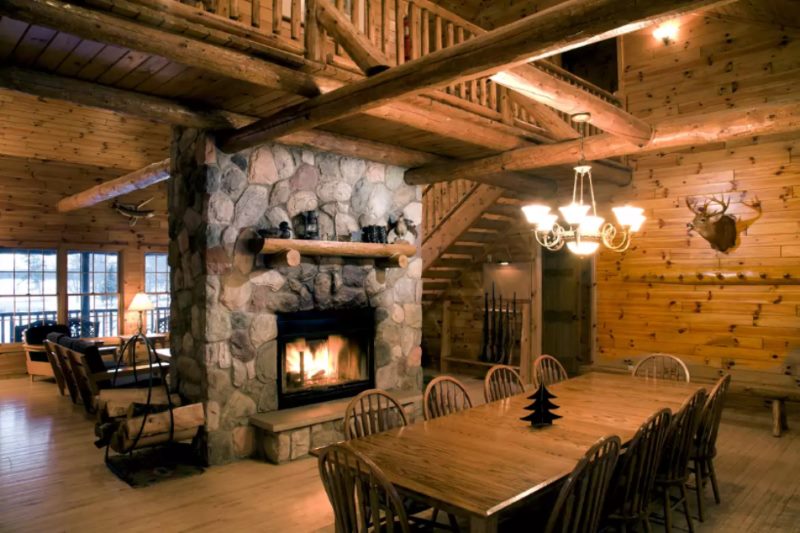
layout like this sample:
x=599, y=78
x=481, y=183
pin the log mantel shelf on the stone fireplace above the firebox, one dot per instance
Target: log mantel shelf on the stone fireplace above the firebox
x=290, y=251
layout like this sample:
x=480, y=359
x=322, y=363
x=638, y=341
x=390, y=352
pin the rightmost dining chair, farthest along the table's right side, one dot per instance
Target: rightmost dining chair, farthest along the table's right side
x=706, y=442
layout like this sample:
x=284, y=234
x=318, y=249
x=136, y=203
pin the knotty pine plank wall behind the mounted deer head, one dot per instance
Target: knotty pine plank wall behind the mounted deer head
x=752, y=319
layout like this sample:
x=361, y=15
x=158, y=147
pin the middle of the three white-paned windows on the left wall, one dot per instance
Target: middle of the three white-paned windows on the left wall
x=93, y=293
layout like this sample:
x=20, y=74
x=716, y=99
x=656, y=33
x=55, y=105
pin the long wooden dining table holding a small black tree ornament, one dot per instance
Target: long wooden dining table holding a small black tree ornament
x=485, y=462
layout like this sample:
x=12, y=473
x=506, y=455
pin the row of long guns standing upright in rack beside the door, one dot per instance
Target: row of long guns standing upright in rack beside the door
x=499, y=329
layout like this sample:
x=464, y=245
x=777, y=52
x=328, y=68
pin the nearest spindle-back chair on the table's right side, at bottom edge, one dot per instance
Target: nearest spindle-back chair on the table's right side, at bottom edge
x=579, y=505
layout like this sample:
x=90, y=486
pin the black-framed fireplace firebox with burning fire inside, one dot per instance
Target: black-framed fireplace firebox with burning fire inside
x=324, y=355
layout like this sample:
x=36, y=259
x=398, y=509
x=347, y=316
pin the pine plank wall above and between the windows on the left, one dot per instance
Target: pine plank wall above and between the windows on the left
x=49, y=150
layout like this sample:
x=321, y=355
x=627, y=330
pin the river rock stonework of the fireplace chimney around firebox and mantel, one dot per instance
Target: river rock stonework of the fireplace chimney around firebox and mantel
x=223, y=327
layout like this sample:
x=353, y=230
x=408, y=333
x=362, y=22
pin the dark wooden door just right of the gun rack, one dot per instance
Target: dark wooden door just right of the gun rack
x=567, y=308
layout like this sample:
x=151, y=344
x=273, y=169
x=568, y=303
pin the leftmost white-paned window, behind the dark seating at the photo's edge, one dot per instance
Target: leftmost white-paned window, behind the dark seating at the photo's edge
x=28, y=294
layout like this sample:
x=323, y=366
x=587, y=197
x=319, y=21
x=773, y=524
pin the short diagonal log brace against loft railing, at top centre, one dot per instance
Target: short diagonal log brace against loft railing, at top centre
x=360, y=49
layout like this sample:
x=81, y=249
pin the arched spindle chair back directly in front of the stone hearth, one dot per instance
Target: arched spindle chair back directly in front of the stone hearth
x=372, y=411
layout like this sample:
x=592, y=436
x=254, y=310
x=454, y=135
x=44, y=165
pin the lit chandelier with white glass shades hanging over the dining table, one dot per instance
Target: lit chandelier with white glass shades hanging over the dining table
x=583, y=232
